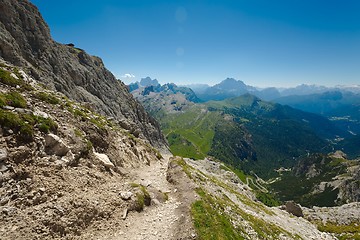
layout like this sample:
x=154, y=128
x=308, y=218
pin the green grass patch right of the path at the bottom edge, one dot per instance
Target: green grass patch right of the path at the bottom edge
x=211, y=221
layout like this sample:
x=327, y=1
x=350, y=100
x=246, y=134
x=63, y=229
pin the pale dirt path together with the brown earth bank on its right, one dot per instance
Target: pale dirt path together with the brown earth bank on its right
x=163, y=220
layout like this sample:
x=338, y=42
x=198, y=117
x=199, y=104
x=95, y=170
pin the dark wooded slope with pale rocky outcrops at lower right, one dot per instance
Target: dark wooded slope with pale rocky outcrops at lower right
x=320, y=180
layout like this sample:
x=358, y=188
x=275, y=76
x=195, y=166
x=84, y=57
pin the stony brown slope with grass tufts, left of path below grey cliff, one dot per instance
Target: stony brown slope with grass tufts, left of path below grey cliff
x=63, y=166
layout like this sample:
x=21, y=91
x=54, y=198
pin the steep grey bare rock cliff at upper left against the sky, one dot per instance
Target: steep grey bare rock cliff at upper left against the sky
x=25, y=41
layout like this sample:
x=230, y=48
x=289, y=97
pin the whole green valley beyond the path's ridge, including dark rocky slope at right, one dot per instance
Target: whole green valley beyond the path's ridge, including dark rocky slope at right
x=259, y=137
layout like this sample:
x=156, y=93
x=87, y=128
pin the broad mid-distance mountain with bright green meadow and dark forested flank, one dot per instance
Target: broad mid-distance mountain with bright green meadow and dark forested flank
x=245, y=131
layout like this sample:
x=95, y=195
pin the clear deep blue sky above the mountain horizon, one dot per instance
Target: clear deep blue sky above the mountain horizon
x=264, y=43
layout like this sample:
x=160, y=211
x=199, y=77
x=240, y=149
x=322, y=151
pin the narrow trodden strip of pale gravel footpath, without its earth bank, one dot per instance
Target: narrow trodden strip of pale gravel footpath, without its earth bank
x=157, y=221
